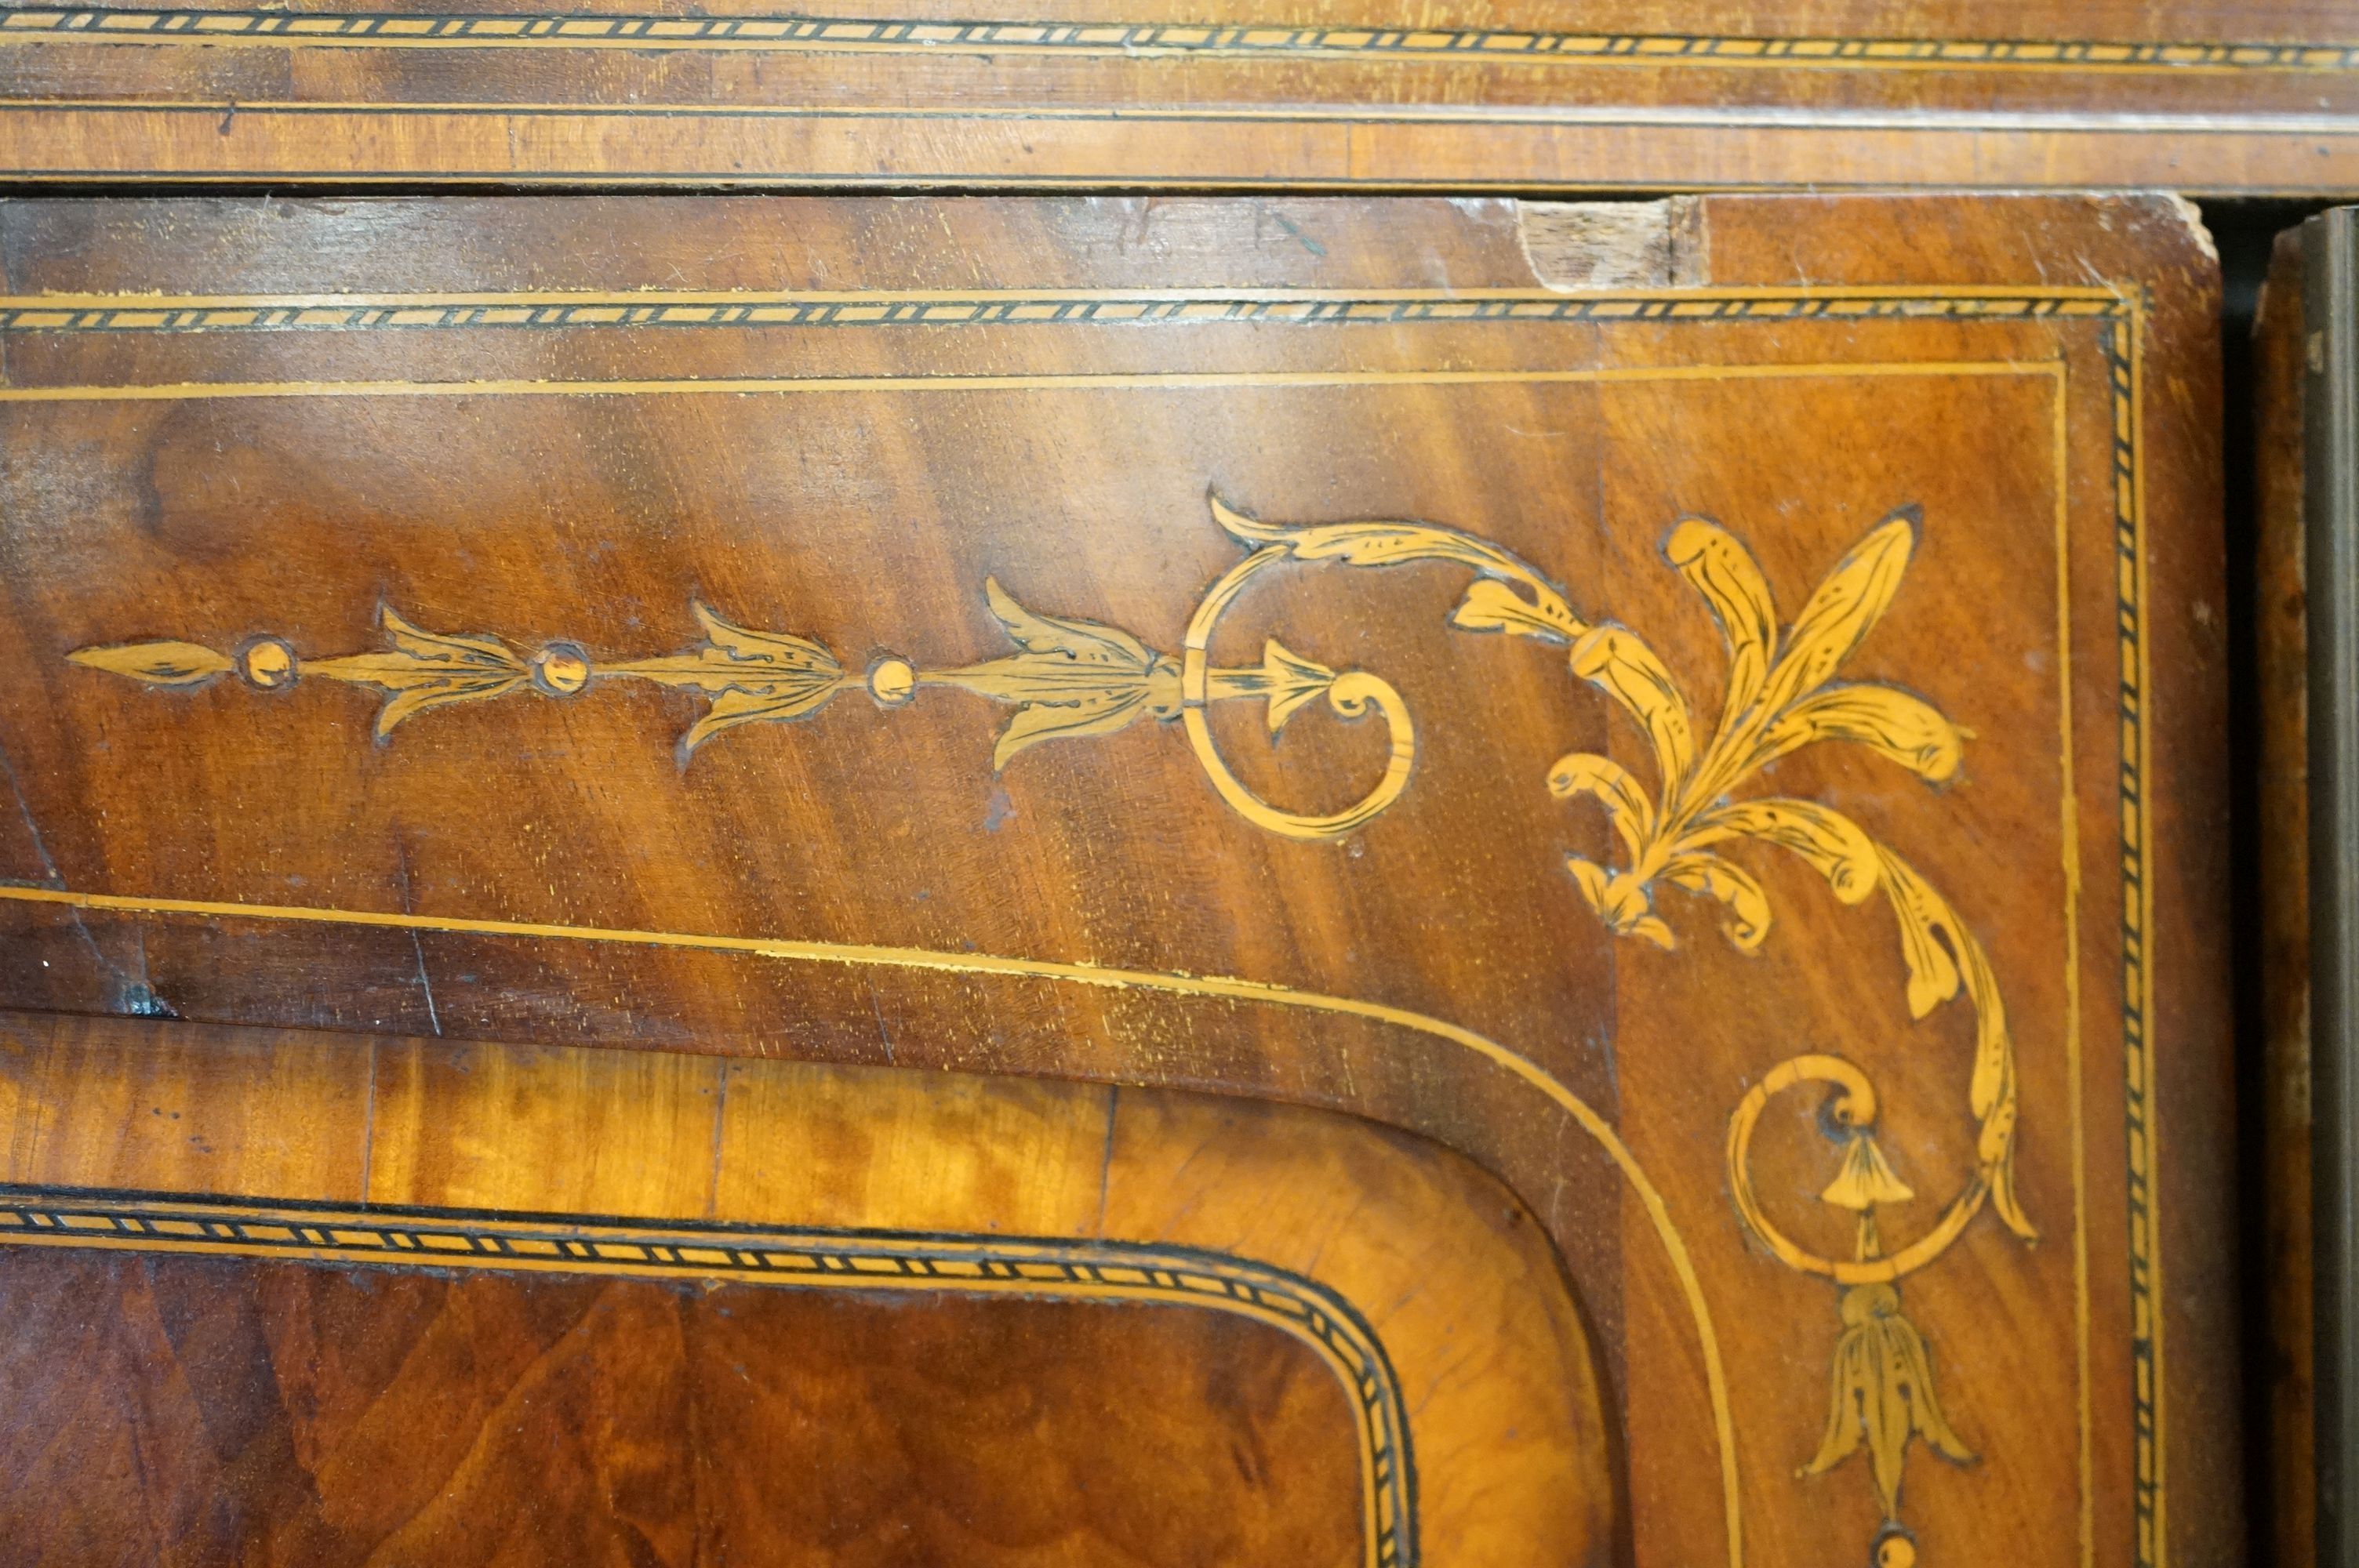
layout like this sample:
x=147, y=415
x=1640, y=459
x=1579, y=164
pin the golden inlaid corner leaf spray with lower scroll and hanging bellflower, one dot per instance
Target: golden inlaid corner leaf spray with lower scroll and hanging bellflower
x=1780, y=697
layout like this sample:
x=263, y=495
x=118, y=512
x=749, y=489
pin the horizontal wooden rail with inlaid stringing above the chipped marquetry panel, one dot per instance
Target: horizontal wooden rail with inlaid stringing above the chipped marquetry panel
x=1289, y=93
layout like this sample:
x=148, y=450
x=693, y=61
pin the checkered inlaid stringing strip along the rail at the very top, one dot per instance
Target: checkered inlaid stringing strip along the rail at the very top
x=1155, y=41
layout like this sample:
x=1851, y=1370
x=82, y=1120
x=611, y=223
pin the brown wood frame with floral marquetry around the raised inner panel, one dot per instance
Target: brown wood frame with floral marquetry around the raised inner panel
x=1240, y=647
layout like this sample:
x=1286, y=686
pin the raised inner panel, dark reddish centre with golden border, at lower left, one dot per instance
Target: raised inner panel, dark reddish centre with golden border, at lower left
x=1162, y=1373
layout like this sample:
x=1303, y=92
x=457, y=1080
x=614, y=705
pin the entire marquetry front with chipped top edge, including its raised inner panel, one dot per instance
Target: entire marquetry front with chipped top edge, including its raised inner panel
x=1695, y=723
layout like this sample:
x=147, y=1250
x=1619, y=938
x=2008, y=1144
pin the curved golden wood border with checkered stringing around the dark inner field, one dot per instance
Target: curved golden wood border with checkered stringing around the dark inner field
x=1417, y=1279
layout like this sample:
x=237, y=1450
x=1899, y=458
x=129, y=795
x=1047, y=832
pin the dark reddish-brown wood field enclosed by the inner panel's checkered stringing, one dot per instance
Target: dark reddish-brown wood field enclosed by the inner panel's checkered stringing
x=232, y=1411
